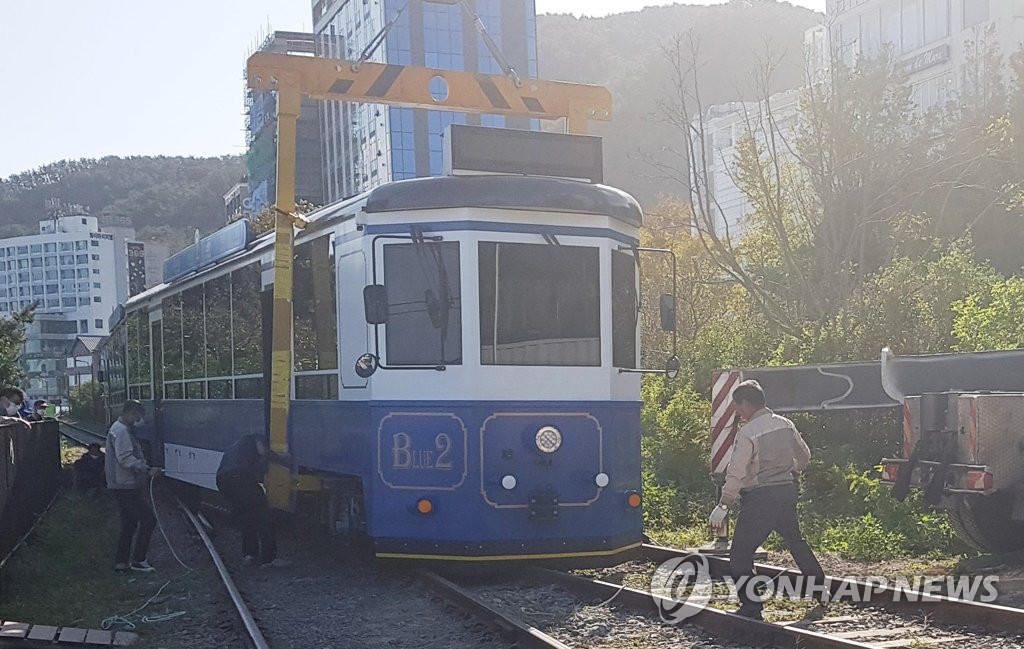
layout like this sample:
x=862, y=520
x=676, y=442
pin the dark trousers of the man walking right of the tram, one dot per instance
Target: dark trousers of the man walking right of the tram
x=762, y=511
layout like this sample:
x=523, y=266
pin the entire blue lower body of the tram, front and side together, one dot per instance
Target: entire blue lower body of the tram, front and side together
x=455, y=455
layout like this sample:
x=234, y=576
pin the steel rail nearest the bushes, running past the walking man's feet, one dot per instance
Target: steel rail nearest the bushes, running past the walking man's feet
x=942, y=610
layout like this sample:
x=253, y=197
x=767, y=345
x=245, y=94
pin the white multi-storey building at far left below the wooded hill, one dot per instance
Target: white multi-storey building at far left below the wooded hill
x=70, y=271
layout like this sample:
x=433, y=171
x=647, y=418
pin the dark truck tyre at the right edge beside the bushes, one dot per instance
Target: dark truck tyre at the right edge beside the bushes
x=985, y=523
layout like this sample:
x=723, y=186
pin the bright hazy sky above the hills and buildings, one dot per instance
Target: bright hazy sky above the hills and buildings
x=94, y=78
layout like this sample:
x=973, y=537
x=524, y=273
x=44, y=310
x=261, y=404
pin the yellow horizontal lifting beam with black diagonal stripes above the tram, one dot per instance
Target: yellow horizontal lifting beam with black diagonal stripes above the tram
x=411, y=88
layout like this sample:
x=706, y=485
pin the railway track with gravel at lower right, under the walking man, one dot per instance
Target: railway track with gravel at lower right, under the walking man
x=883, y=622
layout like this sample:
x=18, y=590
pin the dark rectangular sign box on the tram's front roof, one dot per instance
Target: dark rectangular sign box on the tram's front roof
x=478, y=150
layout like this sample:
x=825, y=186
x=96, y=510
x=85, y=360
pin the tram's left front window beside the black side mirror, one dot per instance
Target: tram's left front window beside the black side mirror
x=424, y=326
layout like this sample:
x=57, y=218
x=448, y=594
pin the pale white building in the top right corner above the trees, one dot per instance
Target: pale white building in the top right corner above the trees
x=932, y=40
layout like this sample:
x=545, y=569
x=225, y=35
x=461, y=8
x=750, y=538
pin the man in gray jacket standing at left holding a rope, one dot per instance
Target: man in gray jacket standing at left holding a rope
x=127, y=478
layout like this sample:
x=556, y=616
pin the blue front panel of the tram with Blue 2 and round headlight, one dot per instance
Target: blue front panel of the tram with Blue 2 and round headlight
x=456, y=455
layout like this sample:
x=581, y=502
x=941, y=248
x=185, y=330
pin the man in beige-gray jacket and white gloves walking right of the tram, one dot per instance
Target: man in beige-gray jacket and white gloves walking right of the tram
x=767, y=458
